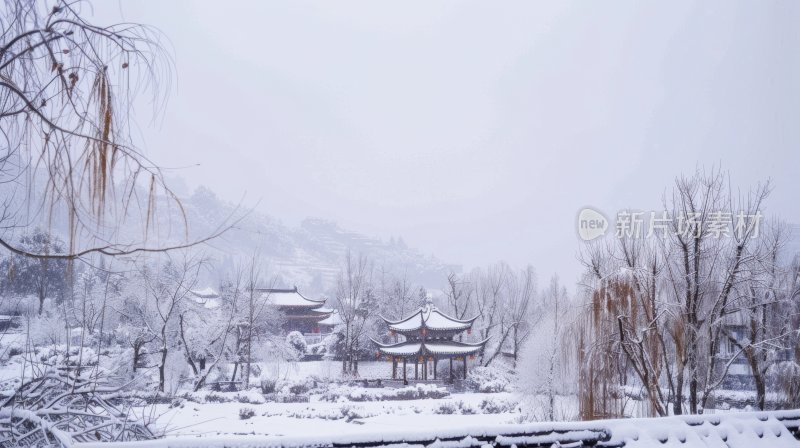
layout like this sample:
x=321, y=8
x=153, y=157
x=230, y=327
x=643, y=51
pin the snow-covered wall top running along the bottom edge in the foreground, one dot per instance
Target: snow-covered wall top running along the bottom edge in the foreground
x=740, y=430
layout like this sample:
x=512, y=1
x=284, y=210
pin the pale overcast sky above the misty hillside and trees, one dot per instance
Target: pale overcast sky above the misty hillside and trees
x=475, y=130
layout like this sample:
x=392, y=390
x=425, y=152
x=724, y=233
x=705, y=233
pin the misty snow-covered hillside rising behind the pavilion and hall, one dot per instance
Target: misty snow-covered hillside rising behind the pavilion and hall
x=309, y=255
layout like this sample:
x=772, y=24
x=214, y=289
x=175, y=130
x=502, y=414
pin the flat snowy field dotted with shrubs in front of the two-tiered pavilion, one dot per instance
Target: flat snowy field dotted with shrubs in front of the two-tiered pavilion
x=333, y=409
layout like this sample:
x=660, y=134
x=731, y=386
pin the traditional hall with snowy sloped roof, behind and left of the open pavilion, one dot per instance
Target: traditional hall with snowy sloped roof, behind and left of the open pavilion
x=302, y=314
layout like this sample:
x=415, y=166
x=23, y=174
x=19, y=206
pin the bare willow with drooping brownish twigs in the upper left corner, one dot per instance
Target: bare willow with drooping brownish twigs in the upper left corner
x=67, y=89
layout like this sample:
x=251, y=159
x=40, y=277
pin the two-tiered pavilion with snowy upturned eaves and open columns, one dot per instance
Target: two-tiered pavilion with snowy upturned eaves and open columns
x=429, y=337
